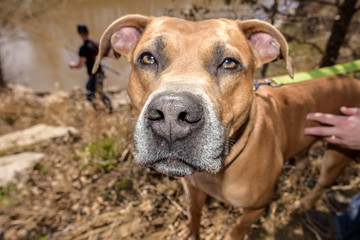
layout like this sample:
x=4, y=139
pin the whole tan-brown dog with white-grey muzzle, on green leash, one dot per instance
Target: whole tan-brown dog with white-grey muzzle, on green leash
x=192, y=83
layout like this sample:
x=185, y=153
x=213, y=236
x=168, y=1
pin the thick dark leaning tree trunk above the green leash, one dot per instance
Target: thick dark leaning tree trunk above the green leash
x=338, y=32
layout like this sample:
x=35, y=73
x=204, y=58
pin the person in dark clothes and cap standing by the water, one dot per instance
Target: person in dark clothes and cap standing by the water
x=87, y=54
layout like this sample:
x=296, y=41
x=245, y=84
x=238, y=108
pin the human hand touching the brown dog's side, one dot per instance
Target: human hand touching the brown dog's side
x=343, y=130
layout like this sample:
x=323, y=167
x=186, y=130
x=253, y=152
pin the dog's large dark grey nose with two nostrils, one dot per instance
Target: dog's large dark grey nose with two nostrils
x=175, y=116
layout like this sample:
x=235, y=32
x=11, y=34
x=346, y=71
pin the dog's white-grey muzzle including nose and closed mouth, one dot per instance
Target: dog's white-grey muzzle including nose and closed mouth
x=179, y=133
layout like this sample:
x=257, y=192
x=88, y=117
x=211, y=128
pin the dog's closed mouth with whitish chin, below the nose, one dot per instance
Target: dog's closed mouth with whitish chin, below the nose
x=174, y=166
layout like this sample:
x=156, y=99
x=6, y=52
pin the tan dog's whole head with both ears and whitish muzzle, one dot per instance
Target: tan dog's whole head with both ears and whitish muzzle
x=192, y=84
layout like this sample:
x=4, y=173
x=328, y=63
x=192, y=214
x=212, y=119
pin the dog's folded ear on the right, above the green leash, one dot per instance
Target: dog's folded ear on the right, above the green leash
x=267, y=42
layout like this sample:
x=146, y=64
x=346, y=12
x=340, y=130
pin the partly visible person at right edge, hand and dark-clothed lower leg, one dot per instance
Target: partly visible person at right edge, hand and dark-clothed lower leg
x=342, y=130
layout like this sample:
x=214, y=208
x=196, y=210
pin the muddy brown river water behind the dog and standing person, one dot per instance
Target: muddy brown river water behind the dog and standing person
x=41, y=63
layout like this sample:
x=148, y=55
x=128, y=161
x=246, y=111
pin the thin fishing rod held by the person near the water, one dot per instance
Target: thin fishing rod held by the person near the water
x=51, y=39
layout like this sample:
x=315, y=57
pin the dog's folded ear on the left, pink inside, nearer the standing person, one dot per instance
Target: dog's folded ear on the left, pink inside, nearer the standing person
x=121, y=36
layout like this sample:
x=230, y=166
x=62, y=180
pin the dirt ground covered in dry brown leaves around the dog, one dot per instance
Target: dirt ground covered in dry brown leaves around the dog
x=89, y=187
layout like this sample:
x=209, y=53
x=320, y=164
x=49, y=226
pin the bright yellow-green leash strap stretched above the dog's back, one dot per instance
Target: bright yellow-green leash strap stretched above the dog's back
x=321, y=72
